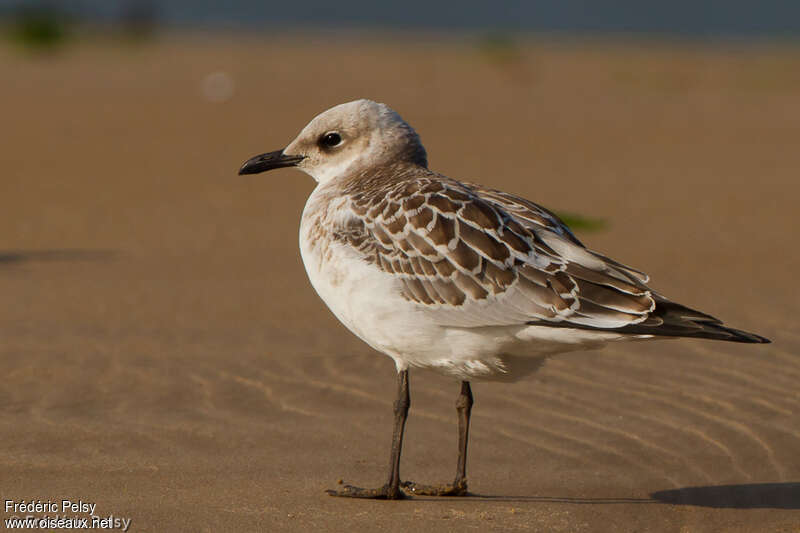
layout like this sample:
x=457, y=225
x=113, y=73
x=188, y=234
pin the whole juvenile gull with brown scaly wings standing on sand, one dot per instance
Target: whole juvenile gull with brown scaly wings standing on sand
x=438, y=273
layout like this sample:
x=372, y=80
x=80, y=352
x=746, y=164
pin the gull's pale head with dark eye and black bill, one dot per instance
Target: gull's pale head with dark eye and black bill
x=344, y=140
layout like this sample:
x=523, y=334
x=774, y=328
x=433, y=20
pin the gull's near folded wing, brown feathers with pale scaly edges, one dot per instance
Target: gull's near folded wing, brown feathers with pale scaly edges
x=481, y=257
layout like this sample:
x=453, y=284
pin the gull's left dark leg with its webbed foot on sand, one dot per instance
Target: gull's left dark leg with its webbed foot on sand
x=391, y=490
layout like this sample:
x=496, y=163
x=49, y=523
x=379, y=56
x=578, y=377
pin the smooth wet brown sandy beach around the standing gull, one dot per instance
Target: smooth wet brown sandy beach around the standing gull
x=165, y=357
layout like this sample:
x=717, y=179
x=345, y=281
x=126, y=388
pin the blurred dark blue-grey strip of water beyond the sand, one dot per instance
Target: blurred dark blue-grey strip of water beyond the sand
x=706, y=18
